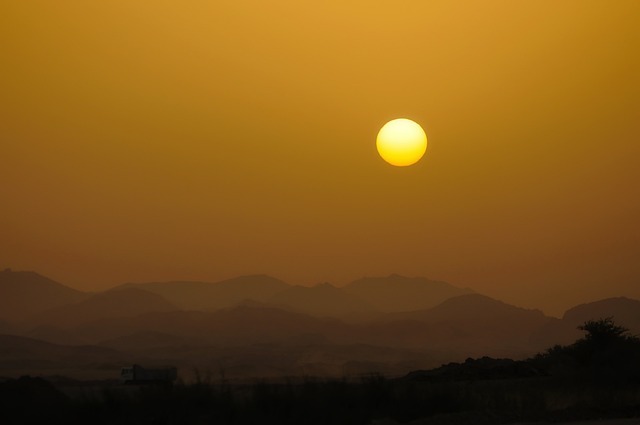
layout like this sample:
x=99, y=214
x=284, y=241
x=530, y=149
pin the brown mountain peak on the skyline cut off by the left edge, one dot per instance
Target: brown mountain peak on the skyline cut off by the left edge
x=25, y=293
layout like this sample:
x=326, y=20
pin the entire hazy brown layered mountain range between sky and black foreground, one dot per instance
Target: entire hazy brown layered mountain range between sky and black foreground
x=262, y=326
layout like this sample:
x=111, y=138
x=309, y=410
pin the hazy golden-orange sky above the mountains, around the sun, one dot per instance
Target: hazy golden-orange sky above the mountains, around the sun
x=158, y=140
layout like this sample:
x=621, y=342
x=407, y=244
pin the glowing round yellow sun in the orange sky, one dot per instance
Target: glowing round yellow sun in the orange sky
x=401, y=142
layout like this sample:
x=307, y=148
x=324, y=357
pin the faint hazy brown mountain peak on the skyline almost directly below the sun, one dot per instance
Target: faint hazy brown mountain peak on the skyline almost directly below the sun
x=397, y=293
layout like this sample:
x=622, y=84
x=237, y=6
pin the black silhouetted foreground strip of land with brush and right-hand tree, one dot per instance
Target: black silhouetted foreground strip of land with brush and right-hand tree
x=597, y=376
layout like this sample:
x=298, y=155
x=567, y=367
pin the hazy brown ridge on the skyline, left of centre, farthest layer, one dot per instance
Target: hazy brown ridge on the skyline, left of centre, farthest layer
x=214, y=295
